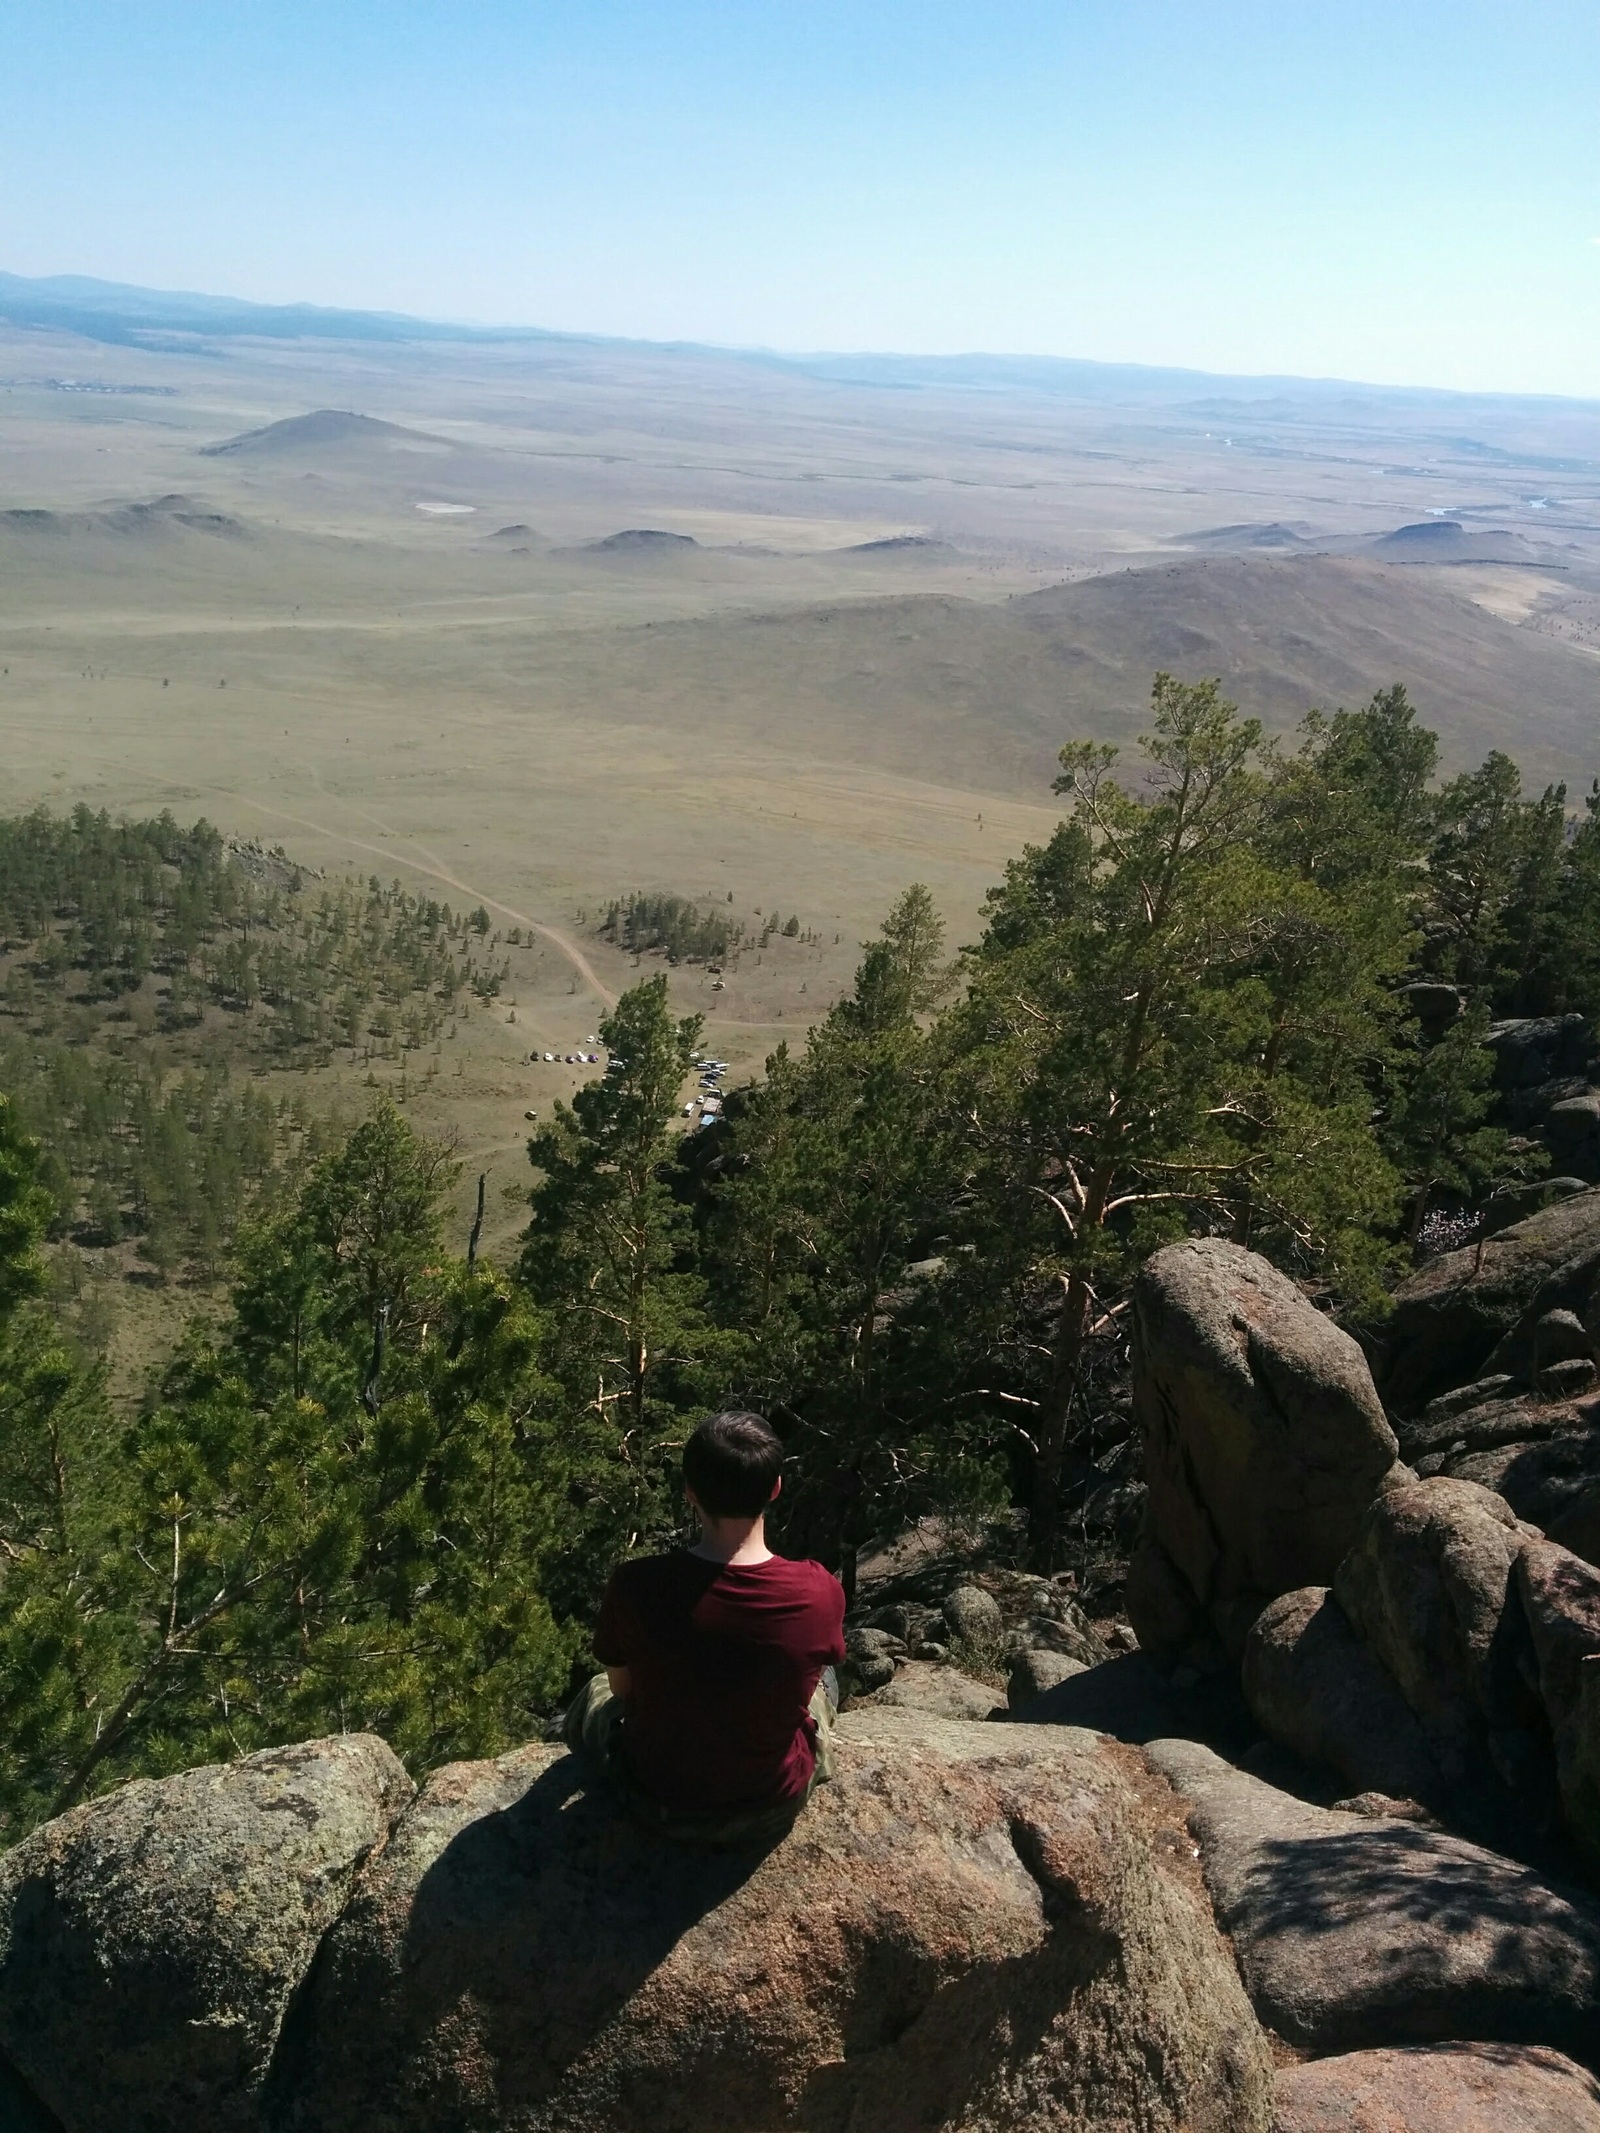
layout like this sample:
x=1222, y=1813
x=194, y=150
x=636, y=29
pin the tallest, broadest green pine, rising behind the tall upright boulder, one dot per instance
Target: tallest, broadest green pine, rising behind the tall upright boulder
x=1166, y=1027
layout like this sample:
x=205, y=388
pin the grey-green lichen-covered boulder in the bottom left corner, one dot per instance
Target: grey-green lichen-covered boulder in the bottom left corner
x=153, y=1940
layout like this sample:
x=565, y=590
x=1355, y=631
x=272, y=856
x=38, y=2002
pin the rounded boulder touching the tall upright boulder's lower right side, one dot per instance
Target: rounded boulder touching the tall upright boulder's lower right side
x=1426, y=1588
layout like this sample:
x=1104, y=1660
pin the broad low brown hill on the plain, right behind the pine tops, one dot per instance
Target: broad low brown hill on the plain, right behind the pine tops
x=982, y=694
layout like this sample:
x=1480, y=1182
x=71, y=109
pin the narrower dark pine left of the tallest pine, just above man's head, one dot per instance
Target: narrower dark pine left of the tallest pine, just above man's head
x=842, y=1176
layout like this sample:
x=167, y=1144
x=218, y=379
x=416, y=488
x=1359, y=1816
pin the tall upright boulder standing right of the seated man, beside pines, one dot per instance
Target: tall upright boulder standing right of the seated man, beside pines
x=1264, y=1445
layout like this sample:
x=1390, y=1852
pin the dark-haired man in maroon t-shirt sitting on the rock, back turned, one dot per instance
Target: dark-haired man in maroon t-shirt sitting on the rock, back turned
x=714, y=1712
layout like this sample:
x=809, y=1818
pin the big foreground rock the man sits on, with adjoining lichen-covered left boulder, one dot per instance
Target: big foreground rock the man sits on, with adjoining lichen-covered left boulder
x=972, y=1927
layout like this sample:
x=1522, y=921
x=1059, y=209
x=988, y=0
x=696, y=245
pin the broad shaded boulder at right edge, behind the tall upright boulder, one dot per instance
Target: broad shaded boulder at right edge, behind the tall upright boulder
x=1473, y=1313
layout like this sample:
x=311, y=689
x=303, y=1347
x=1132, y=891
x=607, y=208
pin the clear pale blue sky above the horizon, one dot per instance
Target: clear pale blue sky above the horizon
x=1403, y=191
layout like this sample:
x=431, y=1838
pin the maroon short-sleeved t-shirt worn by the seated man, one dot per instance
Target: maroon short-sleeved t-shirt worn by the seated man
x=724, y=1661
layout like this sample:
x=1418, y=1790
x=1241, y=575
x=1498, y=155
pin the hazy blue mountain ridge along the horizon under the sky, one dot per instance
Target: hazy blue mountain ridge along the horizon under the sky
x=129, y=315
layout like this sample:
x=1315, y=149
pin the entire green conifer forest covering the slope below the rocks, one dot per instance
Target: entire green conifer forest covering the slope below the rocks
x=381, y=1486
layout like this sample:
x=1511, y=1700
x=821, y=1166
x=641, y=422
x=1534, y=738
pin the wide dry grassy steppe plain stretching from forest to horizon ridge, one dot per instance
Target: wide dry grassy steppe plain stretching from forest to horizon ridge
x=400, y=649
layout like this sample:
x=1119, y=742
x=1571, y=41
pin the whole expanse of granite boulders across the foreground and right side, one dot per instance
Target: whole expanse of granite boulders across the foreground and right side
x=1315, y=1844
